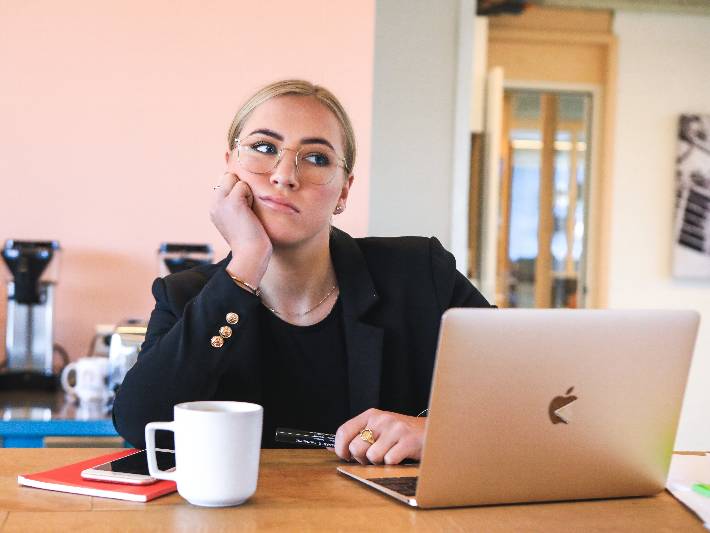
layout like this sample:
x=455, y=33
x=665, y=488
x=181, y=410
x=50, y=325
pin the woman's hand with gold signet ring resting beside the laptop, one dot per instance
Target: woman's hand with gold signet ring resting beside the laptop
x=397, y=437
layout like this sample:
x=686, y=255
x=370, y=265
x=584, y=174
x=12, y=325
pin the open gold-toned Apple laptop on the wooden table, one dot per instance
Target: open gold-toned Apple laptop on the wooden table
x=539, y=405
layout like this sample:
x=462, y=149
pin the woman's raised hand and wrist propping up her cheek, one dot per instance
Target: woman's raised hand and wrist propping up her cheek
x=232, y=214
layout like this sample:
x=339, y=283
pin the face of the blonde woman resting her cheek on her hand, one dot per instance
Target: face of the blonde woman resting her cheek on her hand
x=292, y=209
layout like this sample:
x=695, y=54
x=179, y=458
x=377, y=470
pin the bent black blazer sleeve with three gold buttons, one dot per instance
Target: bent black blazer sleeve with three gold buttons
x=177, y=362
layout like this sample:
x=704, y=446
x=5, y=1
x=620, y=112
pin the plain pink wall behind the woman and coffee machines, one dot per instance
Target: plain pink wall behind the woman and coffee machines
x=113, y=119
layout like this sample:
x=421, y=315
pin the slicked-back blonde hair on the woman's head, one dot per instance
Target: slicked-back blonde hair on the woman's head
x=297, y=88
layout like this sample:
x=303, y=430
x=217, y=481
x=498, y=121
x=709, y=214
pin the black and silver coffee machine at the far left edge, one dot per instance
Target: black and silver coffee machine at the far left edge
x=33, y=268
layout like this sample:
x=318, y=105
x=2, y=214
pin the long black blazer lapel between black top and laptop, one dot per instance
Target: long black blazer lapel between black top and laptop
x=363, y=342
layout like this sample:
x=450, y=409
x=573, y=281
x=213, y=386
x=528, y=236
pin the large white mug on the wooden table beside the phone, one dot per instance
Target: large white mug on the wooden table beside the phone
x=217, y=446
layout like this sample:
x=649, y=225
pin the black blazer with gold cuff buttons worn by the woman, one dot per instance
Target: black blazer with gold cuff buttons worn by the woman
x=393, y=293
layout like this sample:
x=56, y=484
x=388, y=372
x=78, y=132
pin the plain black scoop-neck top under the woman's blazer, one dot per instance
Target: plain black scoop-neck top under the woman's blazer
x=306, y=376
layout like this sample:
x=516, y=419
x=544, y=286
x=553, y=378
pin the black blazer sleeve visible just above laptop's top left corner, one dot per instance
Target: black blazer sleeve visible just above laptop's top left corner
x=453, y=289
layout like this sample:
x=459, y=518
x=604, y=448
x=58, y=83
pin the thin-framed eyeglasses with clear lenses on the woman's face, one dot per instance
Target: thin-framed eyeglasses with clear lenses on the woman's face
x=315, y=164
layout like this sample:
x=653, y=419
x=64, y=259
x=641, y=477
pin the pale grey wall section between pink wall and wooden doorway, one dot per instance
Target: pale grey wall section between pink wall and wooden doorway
x=421, y=88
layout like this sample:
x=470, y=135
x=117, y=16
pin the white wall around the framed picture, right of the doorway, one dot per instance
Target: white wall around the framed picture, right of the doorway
x=664, y=70
